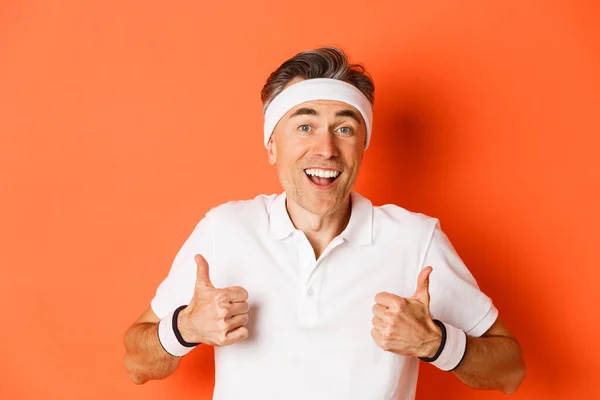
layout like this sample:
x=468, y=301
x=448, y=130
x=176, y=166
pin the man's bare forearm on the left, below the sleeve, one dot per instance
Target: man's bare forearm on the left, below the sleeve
x=145, y=358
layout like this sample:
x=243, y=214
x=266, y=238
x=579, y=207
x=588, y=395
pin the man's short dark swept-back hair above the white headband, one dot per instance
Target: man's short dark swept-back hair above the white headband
x=324, y=62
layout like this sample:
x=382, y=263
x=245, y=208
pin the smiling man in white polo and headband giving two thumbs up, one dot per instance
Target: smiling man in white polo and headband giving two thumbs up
x=315, y=293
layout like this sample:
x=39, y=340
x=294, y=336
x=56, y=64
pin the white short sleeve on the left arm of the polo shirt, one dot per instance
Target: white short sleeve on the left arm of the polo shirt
x=178, y=287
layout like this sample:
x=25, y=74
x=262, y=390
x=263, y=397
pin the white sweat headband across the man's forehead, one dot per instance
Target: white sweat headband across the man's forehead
x=317, y=89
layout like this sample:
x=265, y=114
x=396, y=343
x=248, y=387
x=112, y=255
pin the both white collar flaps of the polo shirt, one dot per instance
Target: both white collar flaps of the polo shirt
x=359, y=229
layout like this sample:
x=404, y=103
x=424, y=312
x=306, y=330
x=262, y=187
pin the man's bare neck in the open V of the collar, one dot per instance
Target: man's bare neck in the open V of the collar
x=319, y=229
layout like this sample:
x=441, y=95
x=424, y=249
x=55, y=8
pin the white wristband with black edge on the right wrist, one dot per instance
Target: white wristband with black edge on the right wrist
x=452, y=350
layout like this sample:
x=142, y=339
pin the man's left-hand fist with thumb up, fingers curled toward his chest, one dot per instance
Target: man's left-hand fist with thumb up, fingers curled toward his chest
x=214, y=316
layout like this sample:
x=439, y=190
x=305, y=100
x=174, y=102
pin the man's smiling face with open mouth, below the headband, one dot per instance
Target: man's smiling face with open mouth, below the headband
x=318, y=148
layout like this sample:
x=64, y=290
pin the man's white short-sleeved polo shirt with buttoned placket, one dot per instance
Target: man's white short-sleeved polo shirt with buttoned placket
x=311, y=320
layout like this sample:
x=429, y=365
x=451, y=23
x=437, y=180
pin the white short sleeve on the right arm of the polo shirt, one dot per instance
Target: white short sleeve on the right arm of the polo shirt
x=455, y=296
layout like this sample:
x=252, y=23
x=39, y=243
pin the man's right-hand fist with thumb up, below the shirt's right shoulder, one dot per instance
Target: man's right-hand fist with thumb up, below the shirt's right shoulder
x=404, y=326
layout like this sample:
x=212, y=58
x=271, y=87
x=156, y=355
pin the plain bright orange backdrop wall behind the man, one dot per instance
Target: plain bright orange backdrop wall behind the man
x=122, y=122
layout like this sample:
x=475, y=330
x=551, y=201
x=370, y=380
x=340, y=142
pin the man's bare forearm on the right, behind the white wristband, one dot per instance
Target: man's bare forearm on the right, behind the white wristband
x=492, y=362
